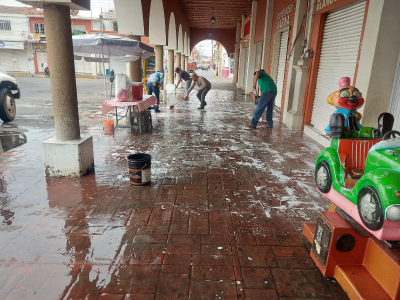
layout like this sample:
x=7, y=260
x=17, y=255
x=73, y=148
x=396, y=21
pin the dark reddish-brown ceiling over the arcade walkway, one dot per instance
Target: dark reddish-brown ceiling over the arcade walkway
x=226, y=12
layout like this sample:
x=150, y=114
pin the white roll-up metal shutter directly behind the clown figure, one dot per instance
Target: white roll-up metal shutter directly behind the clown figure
x=339, y=52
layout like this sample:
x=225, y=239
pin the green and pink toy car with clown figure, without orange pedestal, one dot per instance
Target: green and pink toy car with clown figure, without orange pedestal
x=360, y=171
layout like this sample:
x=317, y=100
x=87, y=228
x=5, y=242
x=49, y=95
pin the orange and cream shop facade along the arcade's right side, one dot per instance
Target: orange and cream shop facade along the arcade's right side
x=308, y=45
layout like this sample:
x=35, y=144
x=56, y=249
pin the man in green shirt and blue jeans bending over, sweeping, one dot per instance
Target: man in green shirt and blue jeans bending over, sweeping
x=267, y=99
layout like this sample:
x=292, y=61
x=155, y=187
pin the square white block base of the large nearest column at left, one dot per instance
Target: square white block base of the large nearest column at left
x=69, y=158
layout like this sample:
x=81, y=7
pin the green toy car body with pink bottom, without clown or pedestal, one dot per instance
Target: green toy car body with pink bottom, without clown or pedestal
x=365, y=172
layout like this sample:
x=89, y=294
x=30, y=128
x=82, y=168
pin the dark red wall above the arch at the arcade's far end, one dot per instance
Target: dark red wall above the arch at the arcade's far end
x=227, y=37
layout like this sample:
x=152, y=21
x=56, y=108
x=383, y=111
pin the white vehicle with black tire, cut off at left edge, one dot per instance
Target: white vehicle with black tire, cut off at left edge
x=9, y=91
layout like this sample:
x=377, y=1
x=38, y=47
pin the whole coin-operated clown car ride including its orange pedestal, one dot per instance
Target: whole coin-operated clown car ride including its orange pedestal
x=360, y=174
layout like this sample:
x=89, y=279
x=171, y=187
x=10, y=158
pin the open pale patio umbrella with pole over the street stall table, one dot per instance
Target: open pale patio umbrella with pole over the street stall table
x=100, y=43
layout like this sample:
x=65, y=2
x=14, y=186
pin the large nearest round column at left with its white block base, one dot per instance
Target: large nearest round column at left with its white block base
x=66, y=154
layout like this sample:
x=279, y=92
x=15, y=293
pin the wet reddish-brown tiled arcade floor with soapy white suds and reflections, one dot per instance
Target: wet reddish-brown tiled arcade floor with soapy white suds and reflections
x=222, y=218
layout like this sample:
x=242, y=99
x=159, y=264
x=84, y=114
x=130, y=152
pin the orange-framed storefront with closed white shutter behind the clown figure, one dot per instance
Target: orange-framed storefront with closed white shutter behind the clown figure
x=337, y=34
